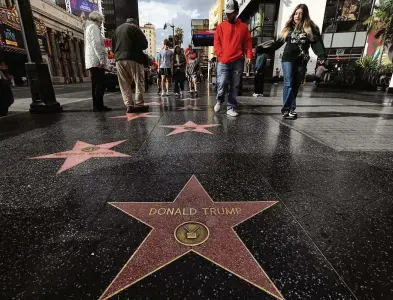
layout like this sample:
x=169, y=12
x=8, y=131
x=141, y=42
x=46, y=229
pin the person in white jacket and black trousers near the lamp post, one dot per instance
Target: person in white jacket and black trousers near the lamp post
x=95, y=59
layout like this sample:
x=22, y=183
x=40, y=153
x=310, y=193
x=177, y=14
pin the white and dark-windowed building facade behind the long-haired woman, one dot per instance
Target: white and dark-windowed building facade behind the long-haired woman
x=340, y=22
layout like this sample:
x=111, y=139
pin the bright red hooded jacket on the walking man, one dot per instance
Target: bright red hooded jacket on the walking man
x=231, y=41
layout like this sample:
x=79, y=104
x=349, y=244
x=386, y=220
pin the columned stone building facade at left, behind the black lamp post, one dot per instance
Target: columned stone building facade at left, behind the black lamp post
x=60, y=36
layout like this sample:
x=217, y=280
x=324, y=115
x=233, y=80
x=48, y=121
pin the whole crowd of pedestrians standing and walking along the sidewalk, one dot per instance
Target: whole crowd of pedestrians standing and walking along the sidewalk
x=233, y=50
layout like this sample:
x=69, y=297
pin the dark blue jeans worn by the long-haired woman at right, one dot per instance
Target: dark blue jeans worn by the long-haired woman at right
x=294, y=73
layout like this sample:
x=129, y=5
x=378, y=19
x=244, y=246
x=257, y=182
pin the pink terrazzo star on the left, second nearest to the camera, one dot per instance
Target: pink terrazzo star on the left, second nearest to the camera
x=83, y=151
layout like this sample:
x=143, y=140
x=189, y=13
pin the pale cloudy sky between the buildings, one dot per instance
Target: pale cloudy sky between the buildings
x=173, y=11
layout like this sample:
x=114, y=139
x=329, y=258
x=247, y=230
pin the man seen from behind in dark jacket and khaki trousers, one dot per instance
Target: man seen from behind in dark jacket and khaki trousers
x=129, y=43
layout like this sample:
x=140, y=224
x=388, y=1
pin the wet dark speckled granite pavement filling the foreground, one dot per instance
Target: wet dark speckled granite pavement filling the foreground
x=329, y=236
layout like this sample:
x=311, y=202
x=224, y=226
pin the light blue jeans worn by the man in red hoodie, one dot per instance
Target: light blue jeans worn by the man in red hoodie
x=229, y=75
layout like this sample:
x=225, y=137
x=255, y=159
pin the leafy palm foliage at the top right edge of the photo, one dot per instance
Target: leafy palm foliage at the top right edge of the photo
x=381, y=23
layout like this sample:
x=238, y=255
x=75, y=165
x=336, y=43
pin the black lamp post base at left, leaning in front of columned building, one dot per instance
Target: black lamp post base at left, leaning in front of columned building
x=42, y=92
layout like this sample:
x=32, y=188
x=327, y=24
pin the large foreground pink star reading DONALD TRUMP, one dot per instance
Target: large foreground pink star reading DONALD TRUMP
x=192, y=223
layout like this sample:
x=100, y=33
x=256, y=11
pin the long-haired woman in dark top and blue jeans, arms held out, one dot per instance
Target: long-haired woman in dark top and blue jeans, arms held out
x=299, y=33
